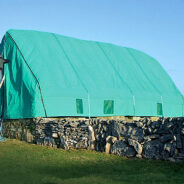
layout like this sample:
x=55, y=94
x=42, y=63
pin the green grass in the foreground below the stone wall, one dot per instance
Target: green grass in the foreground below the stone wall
x=31, y=164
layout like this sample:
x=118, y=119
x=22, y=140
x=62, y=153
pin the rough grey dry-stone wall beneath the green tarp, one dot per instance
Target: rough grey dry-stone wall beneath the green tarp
x=161, y=138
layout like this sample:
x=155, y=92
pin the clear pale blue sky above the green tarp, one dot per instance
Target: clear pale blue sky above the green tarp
x=153, y=26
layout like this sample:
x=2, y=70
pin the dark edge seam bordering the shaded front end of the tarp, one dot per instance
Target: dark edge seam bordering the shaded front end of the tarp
x=30, y=71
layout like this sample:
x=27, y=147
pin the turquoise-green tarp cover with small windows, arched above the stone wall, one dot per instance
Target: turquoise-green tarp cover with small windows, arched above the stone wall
x=50, y=75
